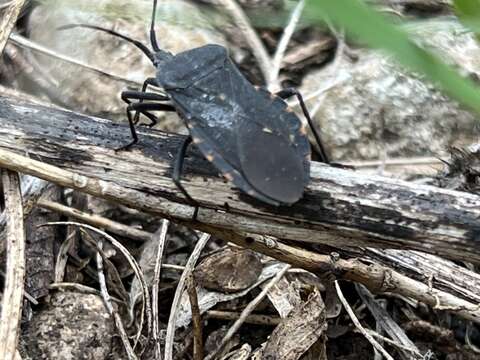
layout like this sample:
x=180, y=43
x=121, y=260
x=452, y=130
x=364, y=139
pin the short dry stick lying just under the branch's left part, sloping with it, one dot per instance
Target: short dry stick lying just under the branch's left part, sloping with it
x=97, y=221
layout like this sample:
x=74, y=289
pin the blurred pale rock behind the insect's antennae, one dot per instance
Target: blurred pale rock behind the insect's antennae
x=180, y=26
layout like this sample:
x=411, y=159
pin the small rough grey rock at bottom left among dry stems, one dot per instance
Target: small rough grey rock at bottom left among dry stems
x=72, y=326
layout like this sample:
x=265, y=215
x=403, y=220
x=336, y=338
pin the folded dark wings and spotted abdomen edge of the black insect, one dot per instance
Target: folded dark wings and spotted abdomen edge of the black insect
x=247, y=133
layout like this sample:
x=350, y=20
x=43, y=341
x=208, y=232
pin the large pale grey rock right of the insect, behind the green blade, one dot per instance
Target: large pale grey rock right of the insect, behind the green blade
x=377, y=108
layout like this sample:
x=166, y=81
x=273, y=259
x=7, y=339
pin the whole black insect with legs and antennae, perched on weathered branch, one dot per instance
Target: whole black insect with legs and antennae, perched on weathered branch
x=248, y=133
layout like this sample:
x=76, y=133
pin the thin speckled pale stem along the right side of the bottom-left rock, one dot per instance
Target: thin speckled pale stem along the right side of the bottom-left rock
x=108, y=303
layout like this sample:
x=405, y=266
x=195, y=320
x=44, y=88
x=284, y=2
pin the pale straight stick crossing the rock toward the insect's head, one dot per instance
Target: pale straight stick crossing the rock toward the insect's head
x=26, y=43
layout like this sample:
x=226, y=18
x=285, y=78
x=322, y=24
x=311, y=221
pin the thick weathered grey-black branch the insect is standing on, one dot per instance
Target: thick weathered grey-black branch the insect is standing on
x=340, y=207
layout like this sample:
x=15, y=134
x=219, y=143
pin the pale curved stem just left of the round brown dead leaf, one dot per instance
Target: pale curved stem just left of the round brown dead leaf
x=192, y=260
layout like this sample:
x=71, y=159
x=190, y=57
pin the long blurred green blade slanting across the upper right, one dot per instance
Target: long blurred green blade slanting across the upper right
x=374, y=30
